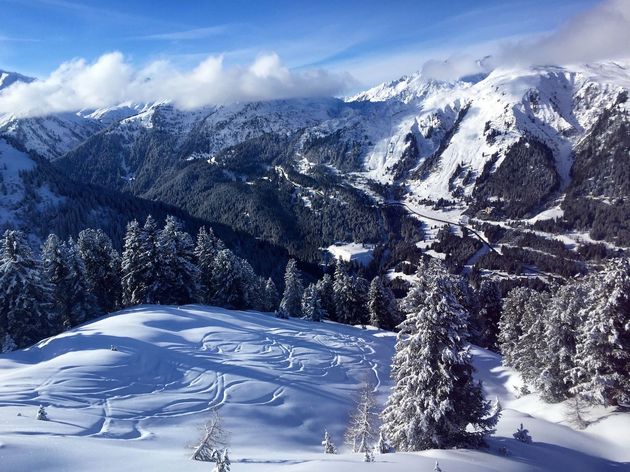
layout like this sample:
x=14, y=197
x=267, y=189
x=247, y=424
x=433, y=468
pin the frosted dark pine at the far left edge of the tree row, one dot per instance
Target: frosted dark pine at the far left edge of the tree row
x=25, y=295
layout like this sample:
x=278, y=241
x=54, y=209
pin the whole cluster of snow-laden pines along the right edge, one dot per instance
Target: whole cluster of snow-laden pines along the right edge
x=574, y=340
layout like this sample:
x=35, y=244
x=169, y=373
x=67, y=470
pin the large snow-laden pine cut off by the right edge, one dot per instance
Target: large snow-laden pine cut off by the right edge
x=602, y=362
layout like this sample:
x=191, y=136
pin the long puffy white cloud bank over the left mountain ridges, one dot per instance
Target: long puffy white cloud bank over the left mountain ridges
x=110, y=80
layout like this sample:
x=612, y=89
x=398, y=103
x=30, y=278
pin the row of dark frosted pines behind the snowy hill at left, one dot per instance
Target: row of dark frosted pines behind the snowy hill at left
x=69, y=282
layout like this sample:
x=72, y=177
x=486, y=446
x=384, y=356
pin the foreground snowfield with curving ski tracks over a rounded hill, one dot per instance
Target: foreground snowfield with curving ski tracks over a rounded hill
x=277, y=383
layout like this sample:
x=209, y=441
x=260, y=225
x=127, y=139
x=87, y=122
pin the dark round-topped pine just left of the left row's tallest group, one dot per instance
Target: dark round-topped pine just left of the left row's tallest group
x=102, y=268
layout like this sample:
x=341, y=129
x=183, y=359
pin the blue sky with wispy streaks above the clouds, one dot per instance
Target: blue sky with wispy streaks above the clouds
x=372, y=40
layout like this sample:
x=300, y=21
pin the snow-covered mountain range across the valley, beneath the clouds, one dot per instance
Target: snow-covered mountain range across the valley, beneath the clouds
x=499, y=149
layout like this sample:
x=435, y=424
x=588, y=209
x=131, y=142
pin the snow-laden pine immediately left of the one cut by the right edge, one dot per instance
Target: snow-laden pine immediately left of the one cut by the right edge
x=561, y=320
